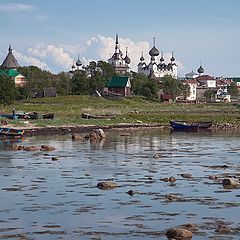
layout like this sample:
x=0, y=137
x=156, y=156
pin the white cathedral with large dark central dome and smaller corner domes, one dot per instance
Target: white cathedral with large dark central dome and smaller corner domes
x=155, y=69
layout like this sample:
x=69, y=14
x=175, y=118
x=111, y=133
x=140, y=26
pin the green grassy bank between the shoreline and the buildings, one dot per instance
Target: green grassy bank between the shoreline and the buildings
x=68, y=110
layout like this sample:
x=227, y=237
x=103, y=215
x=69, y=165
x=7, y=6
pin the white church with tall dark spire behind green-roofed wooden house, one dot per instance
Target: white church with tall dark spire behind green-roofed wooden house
x=120, y=63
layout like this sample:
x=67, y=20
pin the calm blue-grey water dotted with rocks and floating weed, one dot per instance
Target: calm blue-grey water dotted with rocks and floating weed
x=45, y=199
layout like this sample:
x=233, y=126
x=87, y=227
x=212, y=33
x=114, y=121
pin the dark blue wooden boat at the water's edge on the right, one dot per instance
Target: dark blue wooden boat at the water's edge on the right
x=183, y=125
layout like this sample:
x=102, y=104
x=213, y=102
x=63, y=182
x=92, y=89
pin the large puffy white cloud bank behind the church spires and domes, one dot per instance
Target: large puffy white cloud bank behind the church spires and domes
x=60, y=57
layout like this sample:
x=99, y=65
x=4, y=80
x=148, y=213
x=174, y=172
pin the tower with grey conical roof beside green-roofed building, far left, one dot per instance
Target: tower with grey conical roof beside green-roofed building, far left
x=9, y=68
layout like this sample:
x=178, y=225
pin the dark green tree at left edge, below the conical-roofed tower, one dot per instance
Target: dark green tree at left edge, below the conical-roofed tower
x=8, y=92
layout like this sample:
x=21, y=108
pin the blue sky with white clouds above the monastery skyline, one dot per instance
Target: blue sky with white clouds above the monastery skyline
x=52, y=33
